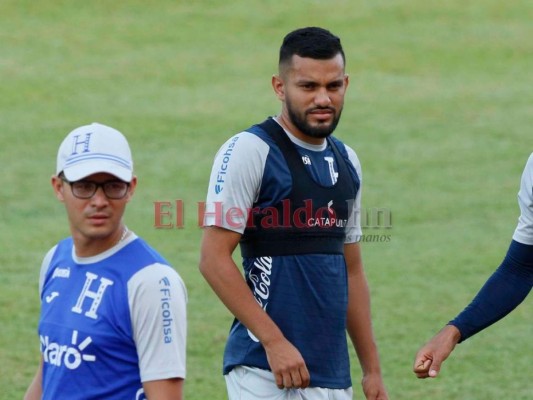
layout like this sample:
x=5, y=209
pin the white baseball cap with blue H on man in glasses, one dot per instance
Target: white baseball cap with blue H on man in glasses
x=92, y=149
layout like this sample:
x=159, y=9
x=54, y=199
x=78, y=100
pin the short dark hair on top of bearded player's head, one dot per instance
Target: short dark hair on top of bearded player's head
x=310, y=42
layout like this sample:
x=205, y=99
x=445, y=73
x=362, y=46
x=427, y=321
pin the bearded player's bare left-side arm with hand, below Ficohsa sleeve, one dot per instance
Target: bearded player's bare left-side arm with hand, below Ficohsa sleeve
x=224, y=277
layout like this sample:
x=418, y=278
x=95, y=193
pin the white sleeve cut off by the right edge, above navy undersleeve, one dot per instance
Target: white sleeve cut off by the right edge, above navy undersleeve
x=524, y=229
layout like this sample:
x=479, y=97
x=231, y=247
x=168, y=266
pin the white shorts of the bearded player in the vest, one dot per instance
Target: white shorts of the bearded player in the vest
x=247, y=383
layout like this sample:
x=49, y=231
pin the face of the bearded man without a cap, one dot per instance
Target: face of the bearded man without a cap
x=312, y=92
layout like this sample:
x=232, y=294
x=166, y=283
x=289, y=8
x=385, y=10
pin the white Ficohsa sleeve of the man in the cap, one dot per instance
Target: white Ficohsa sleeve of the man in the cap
x=157, y=299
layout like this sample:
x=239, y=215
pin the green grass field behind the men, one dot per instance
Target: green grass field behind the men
x=439, y=111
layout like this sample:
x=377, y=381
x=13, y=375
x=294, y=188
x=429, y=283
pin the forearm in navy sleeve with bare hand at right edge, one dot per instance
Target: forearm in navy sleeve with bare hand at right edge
x=508, y=286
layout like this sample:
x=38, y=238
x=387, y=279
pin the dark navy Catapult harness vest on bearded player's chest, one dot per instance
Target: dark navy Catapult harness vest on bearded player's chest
x=312, y=219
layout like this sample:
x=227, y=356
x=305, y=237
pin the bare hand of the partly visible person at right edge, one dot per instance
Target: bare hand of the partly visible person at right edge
x=430, y=357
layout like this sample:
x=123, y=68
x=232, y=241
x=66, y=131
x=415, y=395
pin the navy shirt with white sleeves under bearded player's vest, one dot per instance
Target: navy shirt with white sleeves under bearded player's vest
x=306, y=295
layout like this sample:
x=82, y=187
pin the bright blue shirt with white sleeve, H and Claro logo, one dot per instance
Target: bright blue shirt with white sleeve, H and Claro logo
x=110, y=322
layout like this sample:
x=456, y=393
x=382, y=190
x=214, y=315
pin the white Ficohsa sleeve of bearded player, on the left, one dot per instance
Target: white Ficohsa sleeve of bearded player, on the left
x=235, y=181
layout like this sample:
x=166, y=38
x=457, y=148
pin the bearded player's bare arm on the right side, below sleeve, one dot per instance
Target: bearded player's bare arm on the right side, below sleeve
x=359, y=324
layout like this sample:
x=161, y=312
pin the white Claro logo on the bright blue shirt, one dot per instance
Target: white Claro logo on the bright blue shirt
x=70, y=356
